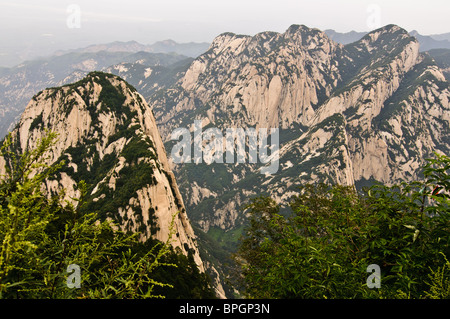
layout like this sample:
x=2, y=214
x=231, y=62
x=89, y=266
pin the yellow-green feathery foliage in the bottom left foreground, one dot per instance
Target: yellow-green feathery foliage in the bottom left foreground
x=42, y=235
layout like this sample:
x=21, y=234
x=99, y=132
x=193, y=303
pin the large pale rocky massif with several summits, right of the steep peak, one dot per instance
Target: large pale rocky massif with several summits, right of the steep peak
x=371, y=110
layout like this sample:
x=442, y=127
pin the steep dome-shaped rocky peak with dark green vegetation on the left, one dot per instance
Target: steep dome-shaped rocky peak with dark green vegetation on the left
x=108, y=137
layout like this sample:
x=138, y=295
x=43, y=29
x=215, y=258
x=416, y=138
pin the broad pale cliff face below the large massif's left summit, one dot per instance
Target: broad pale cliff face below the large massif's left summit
x=268, y=80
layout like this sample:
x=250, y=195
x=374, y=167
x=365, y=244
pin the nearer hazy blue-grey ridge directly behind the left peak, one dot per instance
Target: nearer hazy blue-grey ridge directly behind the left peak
x=20, y=83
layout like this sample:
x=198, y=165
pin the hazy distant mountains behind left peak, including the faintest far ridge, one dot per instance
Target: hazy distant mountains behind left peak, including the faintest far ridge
x=19, y=83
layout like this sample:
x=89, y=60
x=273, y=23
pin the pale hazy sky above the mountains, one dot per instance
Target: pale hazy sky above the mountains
x=52, y=24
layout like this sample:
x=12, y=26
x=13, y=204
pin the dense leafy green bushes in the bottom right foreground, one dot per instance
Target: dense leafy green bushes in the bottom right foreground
x=322, y=248
